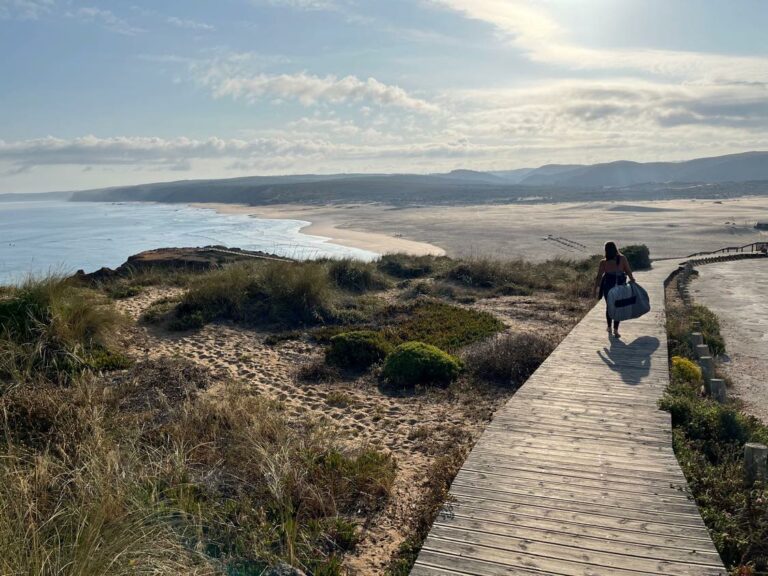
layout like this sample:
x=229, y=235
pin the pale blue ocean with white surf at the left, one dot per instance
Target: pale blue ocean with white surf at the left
x=63, y=237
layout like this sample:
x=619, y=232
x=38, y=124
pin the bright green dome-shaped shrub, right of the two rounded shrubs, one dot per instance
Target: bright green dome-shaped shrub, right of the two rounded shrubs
x=415, y=363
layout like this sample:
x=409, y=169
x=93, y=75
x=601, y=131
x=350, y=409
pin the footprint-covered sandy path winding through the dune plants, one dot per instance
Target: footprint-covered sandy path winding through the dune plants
x=416, y=429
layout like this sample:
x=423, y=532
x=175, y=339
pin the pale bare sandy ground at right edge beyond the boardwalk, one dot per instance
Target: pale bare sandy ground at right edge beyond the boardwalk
x=737, y=292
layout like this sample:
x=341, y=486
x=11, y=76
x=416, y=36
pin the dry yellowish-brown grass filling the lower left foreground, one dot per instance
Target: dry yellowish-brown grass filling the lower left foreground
x=95, y=480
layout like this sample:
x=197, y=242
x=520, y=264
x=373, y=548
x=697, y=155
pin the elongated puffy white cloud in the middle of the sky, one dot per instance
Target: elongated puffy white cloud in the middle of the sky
x=311, y=90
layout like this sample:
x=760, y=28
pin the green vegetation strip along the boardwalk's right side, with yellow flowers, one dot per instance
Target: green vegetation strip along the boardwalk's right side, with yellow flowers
x=709, y=442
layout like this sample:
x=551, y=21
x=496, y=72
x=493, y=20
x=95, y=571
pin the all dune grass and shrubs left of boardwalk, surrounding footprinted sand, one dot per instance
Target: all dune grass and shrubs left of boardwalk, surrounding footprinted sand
x=160, y=466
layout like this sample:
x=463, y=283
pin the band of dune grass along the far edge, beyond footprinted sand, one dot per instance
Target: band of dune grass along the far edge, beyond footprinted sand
x=296, y=294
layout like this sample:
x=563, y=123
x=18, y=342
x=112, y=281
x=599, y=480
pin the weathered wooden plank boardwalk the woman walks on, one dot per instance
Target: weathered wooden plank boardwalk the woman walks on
x=576, y=473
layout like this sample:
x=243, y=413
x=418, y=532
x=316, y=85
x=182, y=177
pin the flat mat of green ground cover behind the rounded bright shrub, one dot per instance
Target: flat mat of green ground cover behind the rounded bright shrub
x=445, y=326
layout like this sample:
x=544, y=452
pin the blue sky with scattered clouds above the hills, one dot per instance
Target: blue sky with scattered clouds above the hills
x=96, y=94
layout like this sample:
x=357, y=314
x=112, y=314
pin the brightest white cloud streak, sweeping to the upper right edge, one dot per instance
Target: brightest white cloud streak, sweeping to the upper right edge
x=537, y=34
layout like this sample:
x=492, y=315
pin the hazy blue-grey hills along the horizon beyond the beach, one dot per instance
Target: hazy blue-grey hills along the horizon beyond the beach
x=719, y=177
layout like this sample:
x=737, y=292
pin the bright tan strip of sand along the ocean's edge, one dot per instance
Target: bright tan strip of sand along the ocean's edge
x=323, y=224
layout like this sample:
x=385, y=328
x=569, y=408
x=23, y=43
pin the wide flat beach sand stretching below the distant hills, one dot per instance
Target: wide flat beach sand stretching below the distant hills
x=671, y=228
